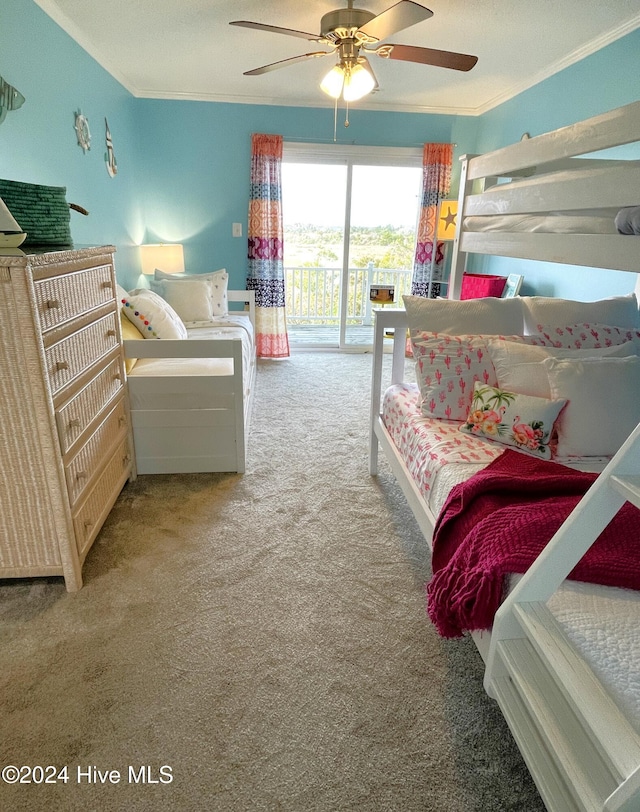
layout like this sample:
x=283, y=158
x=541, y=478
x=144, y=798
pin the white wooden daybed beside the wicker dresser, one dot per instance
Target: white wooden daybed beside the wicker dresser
x=191, y=399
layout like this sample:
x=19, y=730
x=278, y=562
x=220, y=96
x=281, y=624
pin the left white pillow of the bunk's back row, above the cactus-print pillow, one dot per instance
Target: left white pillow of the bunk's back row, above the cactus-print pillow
x=488, y=316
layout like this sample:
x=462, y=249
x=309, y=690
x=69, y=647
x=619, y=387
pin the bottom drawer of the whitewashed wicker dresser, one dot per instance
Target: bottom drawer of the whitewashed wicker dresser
x=89, y=517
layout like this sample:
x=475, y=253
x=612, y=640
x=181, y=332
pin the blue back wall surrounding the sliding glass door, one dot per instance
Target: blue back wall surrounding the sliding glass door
x=194, y=165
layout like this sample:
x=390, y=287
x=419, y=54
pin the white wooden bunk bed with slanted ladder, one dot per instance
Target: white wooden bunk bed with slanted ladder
x=563, y=657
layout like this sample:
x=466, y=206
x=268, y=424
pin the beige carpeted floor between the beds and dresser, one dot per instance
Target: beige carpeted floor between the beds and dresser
x=262, y=637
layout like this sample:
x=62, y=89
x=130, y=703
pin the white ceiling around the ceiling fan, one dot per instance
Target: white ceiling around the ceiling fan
x=186, y=49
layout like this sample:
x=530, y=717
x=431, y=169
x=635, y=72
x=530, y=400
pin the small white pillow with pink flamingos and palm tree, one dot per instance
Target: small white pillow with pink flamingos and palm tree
x=522, y=421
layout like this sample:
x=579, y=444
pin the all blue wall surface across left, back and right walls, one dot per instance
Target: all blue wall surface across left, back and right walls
x=184, y=166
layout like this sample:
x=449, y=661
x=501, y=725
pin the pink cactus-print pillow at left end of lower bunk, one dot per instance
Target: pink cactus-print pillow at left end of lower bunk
x=447, y=367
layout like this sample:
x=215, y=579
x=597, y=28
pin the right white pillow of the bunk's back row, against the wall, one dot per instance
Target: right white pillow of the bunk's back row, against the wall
x=545, y=310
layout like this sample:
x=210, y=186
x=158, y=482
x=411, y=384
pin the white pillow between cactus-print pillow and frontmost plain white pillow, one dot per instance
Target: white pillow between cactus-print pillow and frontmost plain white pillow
x=519, y=366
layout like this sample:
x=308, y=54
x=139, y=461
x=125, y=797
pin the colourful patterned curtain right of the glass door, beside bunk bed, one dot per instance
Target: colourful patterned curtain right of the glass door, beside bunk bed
x=436, y=182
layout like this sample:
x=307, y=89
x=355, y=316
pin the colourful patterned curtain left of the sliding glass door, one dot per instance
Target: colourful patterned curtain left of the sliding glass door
x=266, y=272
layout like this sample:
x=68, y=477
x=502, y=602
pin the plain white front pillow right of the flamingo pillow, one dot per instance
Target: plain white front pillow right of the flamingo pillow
x=603, y=407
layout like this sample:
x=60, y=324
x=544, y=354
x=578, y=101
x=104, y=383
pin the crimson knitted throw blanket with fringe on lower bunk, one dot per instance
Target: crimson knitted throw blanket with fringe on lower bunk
x=498, y=522
